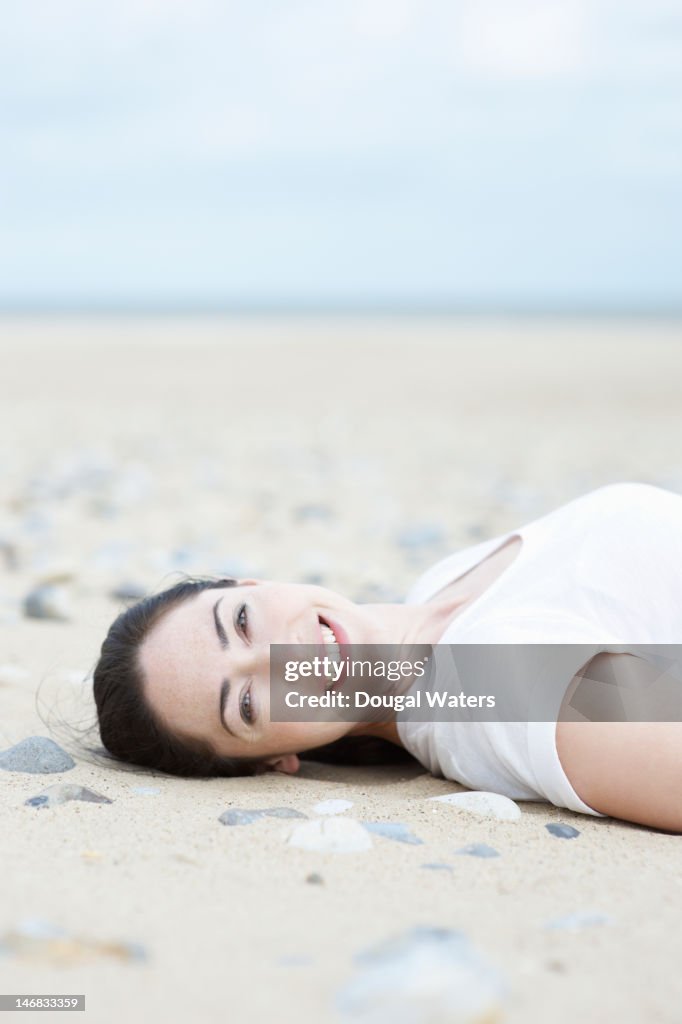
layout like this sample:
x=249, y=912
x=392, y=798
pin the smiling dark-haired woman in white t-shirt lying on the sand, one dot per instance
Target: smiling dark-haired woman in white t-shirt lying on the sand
x=183, y=684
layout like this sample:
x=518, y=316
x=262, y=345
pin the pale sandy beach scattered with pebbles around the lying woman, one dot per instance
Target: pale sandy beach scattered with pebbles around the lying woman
x=353, y=453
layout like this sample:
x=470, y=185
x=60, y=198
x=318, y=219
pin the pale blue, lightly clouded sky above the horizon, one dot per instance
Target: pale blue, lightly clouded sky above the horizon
x=446, y=154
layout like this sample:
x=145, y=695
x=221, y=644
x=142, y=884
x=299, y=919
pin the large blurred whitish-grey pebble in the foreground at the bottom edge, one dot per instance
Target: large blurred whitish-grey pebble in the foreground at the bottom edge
x=424, y=976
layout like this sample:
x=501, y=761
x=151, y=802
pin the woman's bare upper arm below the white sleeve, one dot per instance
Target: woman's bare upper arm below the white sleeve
x=627, y=770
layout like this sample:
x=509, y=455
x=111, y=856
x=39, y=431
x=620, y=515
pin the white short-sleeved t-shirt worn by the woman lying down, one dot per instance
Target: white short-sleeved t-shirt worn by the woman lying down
x=606, y=571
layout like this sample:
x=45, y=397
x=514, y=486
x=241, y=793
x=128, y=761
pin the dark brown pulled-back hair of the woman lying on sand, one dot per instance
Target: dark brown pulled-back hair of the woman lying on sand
x=131, y=732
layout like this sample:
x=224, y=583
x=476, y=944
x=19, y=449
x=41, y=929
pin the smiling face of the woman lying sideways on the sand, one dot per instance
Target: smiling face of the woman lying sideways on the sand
x=224, y=635
